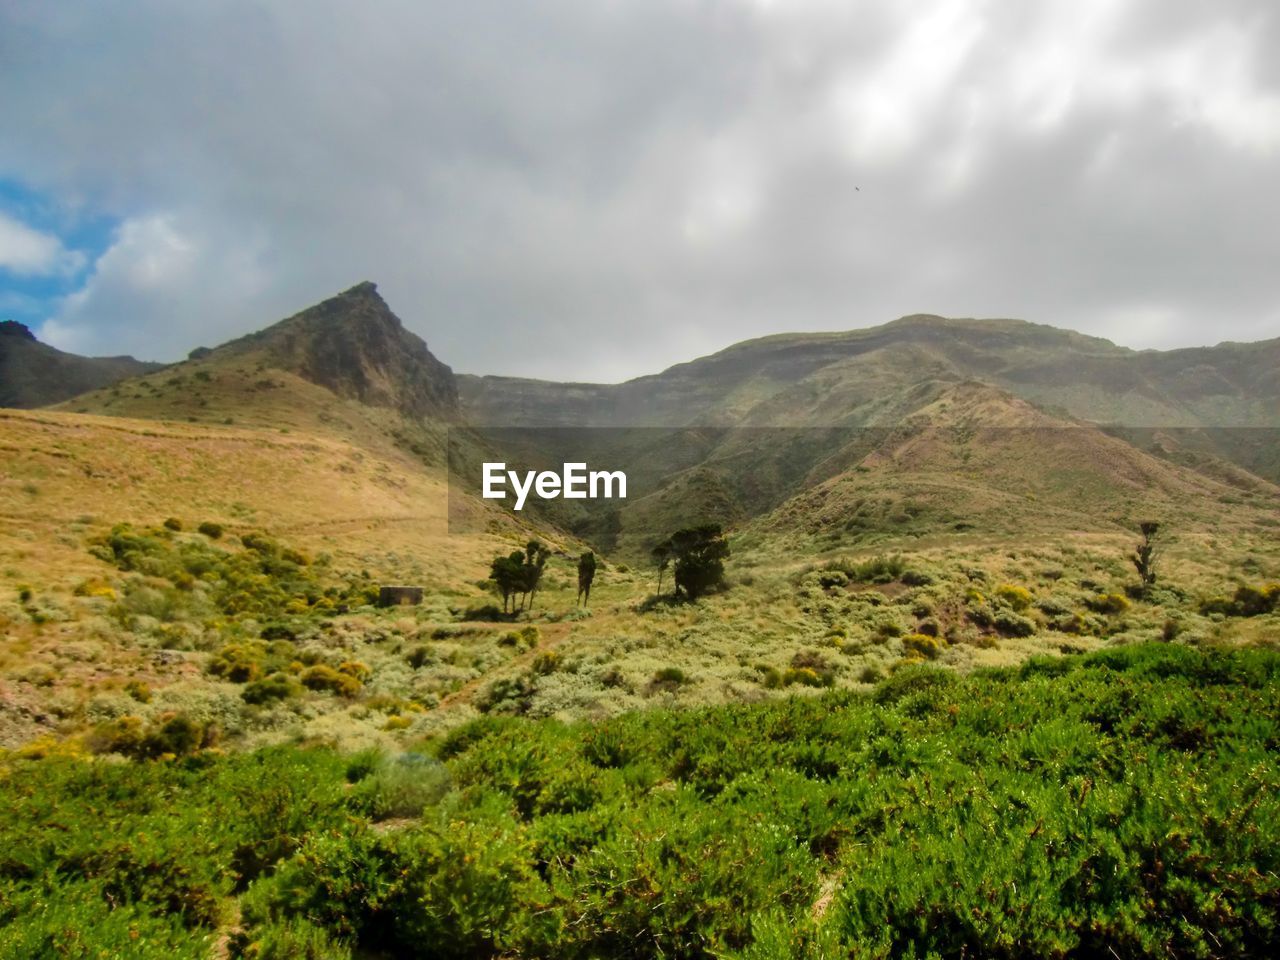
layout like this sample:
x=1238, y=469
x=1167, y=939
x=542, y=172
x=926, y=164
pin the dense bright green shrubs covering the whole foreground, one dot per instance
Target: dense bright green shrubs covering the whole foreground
x=1124, y=801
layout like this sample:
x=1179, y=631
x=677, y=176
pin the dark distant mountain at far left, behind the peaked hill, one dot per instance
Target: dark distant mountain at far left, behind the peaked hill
x=34, y=374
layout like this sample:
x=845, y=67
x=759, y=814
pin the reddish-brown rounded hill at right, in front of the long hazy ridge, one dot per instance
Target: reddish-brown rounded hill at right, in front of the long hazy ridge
x=977, y=459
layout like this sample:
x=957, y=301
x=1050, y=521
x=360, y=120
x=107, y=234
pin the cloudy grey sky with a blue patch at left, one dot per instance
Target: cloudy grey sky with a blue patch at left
x=595, y=190
